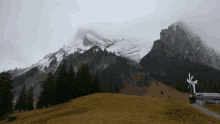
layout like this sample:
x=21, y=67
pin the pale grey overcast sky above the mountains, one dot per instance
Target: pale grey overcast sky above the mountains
x=30, y=29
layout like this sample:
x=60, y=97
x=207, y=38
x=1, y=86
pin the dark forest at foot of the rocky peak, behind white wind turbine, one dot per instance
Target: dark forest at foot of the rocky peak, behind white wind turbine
x=177, y=71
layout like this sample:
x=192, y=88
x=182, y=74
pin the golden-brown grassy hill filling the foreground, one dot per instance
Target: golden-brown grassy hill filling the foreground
x=106, y=108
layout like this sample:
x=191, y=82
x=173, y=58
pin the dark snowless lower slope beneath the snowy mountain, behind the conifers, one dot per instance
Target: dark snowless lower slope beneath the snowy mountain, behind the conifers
x=111, y=69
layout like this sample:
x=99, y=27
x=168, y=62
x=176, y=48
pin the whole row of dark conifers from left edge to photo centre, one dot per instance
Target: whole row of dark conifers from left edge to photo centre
x=56, y=89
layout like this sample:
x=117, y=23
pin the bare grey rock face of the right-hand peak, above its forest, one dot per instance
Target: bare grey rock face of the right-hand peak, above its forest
x=180, y=41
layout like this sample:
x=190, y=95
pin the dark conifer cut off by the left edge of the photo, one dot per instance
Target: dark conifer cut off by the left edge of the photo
x=6, y=97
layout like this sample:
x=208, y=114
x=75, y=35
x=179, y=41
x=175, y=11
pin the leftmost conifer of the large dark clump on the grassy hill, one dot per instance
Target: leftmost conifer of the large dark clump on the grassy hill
x=47, y=95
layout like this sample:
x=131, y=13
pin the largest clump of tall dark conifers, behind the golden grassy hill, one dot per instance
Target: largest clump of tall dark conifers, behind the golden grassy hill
x=67, y=85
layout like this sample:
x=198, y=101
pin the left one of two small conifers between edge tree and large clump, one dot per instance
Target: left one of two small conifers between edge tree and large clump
x=22, y=100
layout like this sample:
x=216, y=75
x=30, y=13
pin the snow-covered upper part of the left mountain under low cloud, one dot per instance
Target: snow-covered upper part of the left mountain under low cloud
x=85, y=39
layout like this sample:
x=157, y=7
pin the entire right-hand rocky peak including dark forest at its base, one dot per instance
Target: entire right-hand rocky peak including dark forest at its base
x=179, y=52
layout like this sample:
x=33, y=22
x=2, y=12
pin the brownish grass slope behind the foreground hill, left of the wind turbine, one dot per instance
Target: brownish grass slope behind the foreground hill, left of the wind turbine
x=154, y=90
